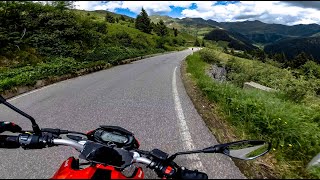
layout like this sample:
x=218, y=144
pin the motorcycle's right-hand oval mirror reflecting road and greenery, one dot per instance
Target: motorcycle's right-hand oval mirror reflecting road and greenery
x=246, y=150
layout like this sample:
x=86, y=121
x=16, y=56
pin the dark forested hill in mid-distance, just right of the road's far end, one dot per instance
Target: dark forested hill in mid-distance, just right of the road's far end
x=235, y=40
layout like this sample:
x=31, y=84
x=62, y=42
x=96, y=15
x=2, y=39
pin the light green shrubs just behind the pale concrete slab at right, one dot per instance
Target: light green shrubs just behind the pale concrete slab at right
x=291, y=87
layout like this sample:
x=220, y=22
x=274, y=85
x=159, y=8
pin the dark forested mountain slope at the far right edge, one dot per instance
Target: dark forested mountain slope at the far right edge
x=293, y=46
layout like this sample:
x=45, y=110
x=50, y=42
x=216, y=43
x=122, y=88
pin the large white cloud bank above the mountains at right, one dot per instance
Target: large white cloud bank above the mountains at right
x=265, y=11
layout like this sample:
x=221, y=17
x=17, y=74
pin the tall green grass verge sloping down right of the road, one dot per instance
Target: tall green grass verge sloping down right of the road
x=252, y=114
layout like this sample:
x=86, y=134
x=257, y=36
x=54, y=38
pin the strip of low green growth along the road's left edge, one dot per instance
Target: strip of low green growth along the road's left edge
x=54, y=70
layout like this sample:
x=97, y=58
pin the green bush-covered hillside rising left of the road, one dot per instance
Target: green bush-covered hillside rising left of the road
x=43, y=41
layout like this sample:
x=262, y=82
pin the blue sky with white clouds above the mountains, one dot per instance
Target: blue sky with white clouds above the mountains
x=278, y=12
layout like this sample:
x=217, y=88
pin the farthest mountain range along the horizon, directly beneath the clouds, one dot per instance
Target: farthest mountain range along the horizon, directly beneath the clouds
x=256, y=31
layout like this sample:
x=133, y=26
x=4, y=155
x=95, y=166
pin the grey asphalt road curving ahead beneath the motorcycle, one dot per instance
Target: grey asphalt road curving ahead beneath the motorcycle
x=145, y=97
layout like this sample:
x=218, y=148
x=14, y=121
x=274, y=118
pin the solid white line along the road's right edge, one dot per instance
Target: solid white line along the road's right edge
x=184, y=130
